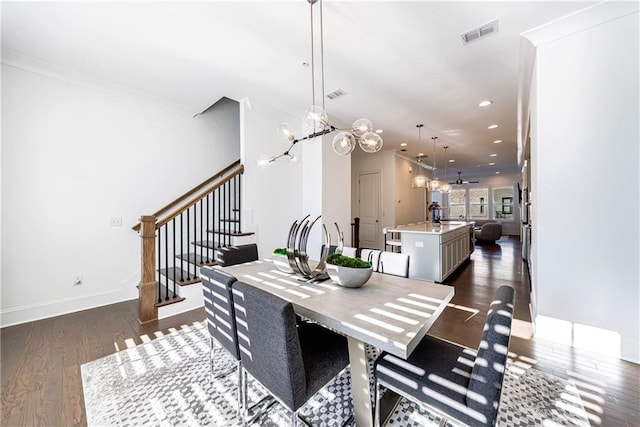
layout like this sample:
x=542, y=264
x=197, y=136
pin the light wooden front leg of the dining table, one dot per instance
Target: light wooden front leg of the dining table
x=360, y=391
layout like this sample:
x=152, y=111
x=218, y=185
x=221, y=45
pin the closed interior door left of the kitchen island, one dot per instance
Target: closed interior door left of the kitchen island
x=369, y=209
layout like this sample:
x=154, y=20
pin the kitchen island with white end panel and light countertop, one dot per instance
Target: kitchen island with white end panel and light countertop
x=435, y=251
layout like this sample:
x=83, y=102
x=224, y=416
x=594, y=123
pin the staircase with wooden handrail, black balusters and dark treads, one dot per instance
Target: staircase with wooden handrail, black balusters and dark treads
x=182, y=236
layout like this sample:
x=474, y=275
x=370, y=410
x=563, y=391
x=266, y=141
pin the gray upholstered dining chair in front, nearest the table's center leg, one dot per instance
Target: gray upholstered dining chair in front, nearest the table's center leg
x=292, y=361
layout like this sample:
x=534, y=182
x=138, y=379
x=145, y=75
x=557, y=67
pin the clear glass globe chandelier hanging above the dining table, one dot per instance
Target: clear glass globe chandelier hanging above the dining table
x=316, y=120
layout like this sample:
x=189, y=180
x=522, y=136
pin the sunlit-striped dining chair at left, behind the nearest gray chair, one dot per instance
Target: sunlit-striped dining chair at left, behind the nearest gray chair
x=221, y=321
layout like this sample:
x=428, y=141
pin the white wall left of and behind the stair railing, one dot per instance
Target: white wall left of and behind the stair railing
x=74, y=155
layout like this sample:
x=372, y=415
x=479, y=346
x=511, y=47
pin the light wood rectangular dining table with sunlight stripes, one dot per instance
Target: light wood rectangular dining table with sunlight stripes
x=388, y=312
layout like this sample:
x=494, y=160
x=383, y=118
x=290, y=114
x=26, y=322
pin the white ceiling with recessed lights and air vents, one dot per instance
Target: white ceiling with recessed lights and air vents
x=399, y=62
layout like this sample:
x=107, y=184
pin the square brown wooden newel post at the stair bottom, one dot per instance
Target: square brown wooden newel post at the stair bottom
x=147, y=310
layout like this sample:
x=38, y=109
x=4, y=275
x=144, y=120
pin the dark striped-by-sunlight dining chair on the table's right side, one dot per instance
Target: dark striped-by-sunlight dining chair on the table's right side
x=455, y=382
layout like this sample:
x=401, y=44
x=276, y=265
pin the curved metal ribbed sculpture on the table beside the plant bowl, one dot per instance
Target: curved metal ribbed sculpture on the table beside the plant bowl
x=297, y=249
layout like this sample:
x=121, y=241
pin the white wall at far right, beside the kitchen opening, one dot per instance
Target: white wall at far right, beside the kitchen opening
x=585, y=157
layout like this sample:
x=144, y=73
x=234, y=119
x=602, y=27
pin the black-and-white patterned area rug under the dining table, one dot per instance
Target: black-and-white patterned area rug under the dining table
x=168, y=382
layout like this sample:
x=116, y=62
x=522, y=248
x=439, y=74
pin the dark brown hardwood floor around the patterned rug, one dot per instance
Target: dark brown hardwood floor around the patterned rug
x=40, y=365
